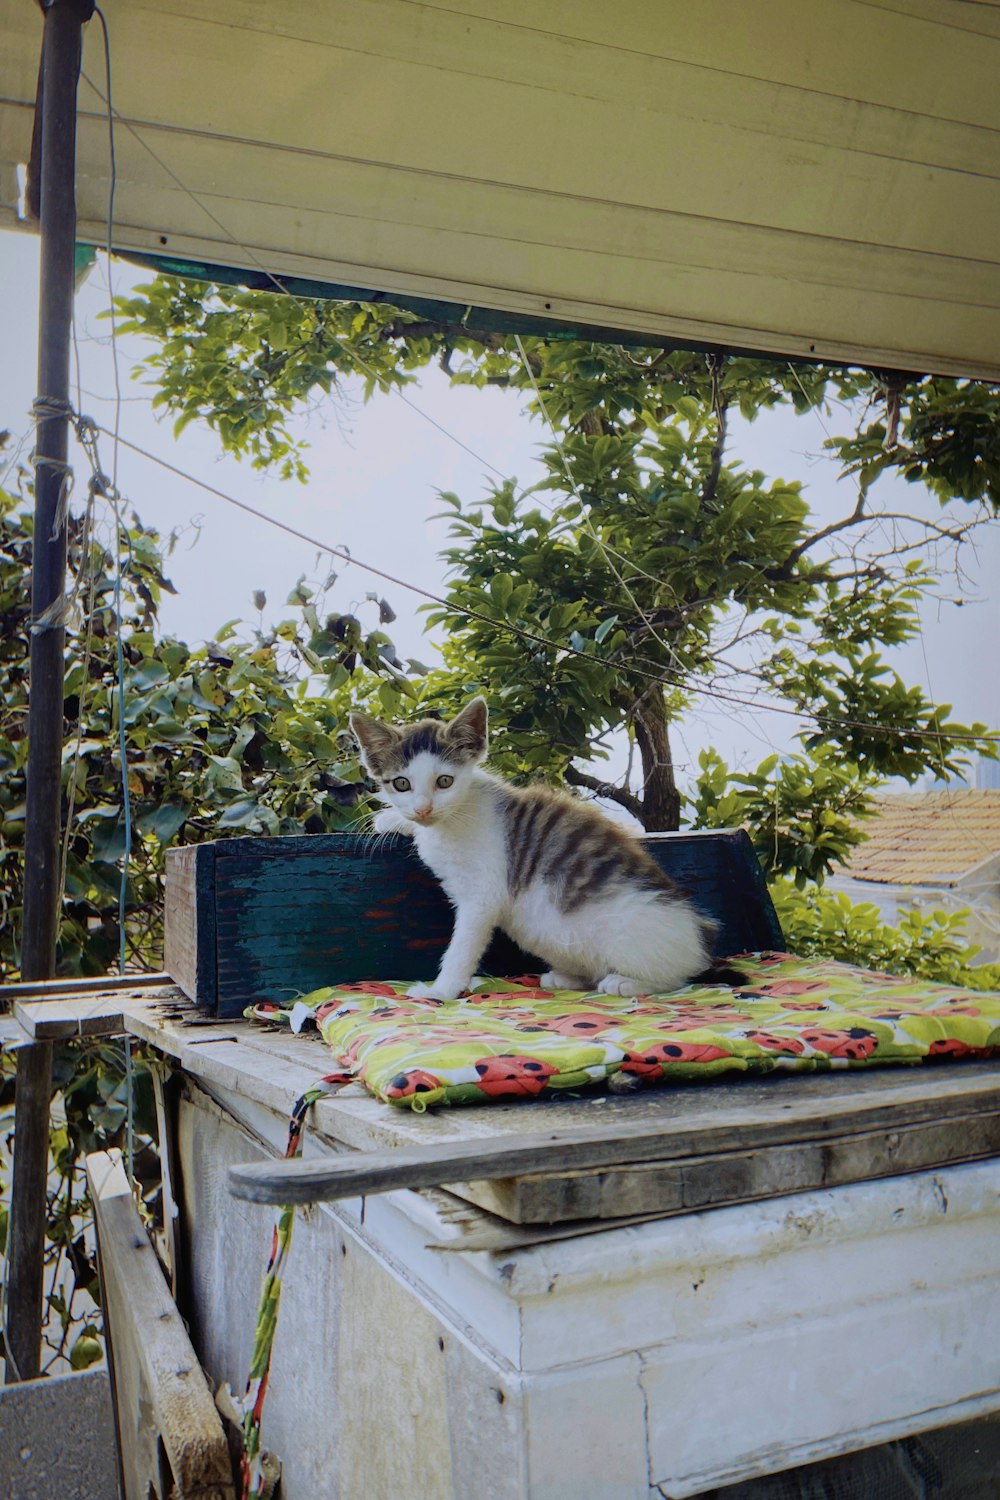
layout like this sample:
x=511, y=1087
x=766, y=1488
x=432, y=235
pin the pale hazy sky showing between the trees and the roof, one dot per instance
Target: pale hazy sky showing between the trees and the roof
x=376, y=472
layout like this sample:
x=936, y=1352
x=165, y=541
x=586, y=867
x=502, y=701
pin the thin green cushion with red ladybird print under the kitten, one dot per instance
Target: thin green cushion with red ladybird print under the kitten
x=510, y=1039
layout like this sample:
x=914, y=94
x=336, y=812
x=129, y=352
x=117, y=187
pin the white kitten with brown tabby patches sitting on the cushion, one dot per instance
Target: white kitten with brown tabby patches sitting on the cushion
x=555, y=874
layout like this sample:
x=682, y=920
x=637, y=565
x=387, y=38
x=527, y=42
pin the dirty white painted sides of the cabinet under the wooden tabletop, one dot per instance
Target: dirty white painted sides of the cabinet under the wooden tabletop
x=653, y=1361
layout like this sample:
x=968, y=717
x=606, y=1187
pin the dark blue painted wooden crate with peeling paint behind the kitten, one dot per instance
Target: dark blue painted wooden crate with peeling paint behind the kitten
x=254, y=920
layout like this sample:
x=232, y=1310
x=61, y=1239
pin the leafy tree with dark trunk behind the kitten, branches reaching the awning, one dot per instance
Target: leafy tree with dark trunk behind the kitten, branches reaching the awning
x=647, y=568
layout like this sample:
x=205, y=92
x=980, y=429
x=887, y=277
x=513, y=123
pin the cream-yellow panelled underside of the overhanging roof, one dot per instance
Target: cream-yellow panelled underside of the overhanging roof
x=803, y=178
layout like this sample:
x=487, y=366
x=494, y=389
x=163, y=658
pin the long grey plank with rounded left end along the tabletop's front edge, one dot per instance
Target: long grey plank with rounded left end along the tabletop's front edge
x=729, y=1132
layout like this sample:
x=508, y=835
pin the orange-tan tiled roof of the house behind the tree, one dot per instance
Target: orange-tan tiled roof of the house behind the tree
x=921, y=838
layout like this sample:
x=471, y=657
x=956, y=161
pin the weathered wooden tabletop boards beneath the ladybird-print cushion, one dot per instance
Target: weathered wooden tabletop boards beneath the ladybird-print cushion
x=596, y=1157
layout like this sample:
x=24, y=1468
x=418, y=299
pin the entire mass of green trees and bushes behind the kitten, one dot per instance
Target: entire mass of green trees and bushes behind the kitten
x=606, y=598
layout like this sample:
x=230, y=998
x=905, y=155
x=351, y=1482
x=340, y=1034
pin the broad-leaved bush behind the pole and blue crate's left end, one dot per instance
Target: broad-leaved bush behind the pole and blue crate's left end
x=239, y=736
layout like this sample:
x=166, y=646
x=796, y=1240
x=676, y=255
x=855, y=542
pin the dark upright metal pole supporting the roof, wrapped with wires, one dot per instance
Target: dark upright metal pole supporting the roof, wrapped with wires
x=61, y=73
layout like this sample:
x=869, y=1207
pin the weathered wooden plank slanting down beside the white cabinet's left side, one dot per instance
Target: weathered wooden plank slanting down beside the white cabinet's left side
x=164, y=1408
